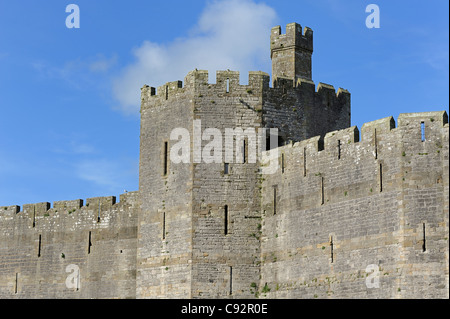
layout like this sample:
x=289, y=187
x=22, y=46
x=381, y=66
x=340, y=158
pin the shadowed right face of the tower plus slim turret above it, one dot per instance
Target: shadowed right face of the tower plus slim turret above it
x=294, y=106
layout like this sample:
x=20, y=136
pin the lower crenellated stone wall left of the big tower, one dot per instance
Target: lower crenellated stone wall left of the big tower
x=93, y=248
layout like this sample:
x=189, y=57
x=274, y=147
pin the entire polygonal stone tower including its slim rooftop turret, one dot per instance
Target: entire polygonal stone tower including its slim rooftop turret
x=200, y=225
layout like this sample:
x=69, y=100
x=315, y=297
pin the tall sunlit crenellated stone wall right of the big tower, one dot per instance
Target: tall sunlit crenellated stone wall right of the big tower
x=333, y=210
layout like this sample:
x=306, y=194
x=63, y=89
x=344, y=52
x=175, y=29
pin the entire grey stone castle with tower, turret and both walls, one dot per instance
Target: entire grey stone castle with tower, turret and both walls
x=346, y=213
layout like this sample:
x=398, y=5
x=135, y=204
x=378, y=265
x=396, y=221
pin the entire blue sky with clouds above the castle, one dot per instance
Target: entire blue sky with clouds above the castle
x=69, y=98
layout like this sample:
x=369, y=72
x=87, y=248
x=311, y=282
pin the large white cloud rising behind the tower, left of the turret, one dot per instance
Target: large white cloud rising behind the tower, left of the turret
x=230, y=34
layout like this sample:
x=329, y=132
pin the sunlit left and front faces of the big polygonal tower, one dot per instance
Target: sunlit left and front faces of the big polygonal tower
x=195, y=231
